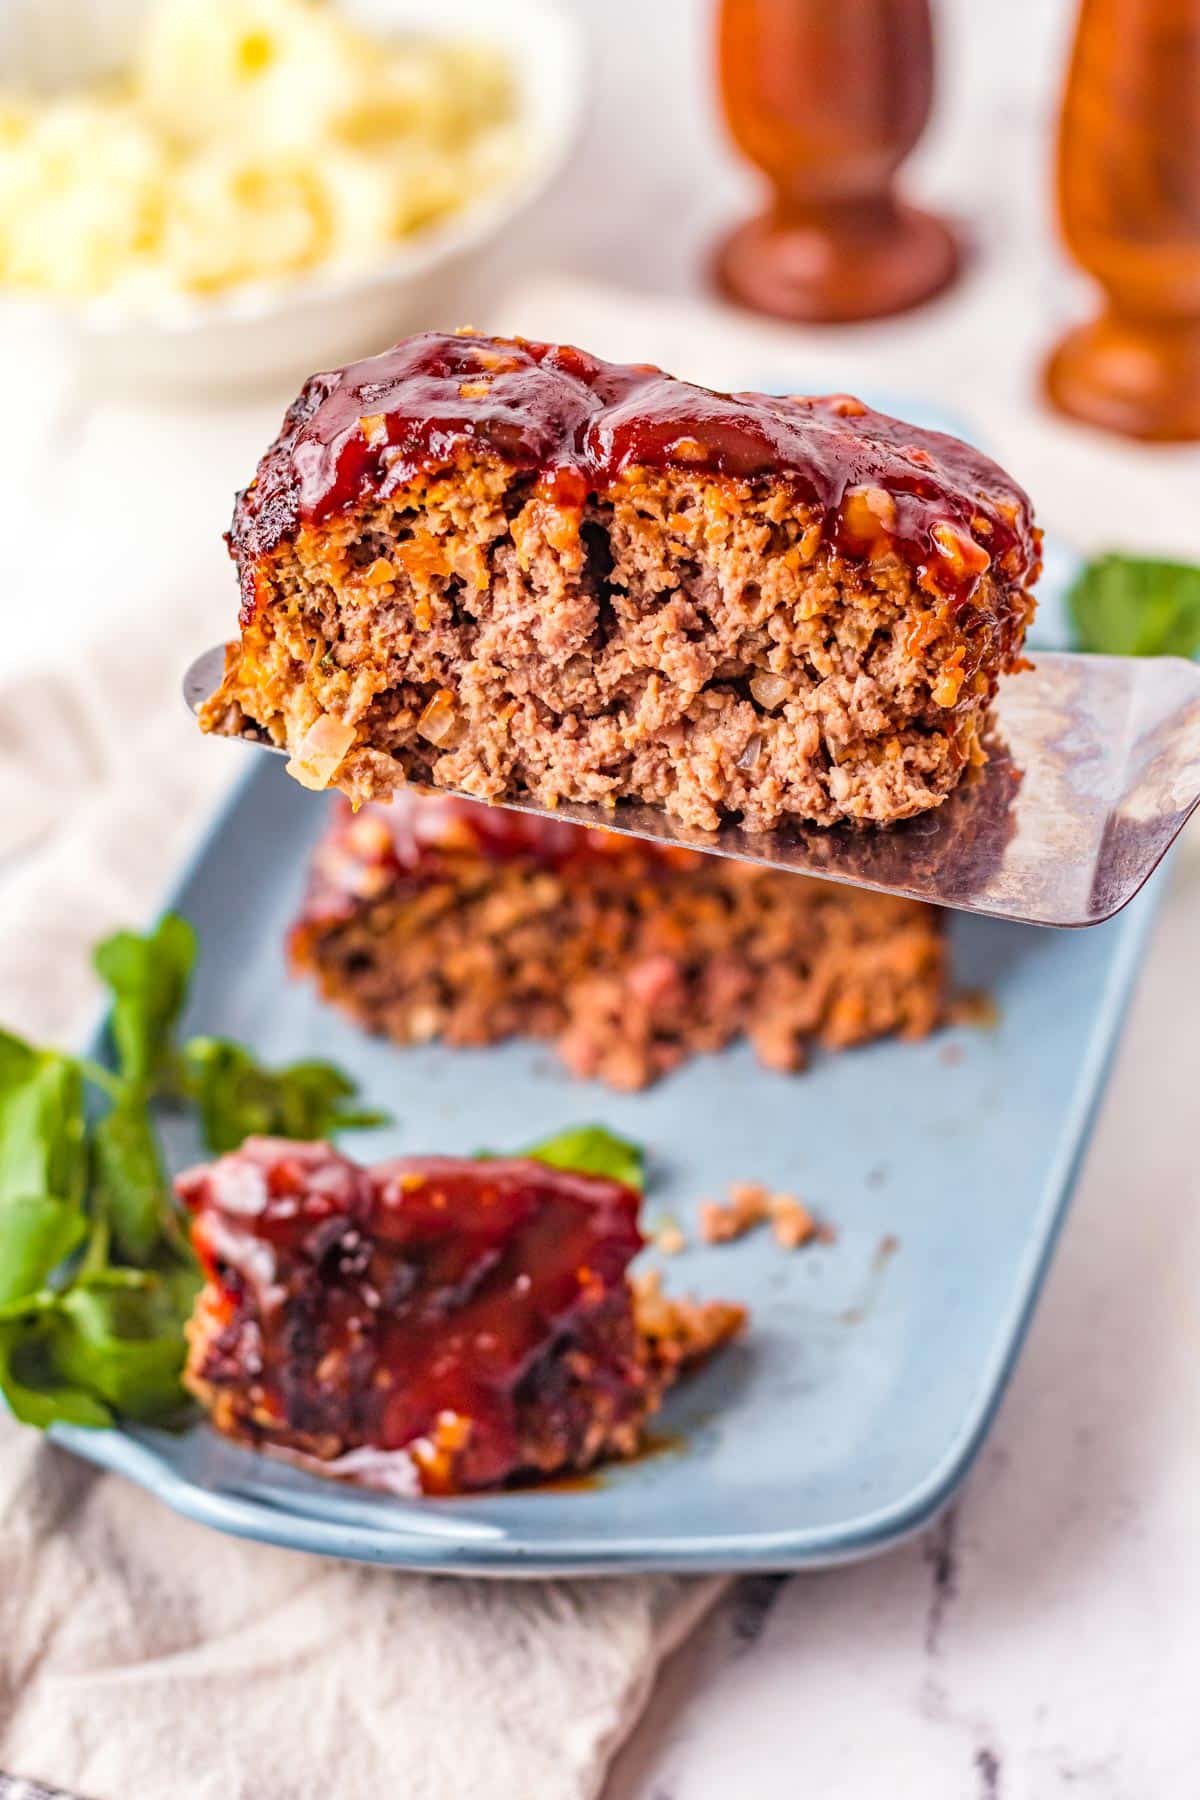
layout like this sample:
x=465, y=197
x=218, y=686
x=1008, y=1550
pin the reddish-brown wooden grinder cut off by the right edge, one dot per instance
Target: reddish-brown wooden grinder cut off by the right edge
x=1129, y=201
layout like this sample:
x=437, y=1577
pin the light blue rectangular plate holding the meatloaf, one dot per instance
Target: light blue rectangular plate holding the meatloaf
x=868, y=1380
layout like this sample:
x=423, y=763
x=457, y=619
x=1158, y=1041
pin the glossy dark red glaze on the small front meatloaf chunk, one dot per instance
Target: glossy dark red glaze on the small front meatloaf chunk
x=386, y=1299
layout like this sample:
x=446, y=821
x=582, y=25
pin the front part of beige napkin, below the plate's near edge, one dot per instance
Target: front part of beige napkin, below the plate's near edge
x=143, y=1657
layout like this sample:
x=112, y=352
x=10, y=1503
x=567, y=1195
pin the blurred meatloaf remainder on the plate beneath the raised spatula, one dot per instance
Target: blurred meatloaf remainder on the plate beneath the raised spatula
x=438, y=917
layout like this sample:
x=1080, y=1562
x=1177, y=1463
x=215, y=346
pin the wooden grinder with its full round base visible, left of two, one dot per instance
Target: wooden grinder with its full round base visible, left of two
x=828, y=98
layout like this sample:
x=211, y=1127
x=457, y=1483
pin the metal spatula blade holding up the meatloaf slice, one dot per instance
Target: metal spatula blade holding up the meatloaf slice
x=1095, y=773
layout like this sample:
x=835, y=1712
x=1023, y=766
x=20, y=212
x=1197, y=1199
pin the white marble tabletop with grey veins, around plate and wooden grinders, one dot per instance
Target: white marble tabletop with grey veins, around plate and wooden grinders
x=1046, y=1637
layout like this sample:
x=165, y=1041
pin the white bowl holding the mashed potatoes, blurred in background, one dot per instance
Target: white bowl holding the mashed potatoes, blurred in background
x=264, y=332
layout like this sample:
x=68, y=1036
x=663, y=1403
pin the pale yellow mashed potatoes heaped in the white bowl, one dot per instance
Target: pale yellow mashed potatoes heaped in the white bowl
x=253, y=141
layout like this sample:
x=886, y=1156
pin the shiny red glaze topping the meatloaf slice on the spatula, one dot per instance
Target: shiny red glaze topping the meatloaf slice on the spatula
x=577, y=424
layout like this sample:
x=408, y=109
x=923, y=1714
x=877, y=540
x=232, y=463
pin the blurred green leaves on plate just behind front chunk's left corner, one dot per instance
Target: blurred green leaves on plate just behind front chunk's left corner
x=240, y=1099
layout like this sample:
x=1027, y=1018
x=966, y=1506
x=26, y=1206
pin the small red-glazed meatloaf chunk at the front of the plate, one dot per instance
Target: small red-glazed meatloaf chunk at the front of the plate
x=467, y=1320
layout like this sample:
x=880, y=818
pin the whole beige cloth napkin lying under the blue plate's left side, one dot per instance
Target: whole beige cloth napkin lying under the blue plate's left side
x=145, y=1657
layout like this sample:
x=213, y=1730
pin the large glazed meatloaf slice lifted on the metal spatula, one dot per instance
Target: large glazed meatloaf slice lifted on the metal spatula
x=514, y=570
